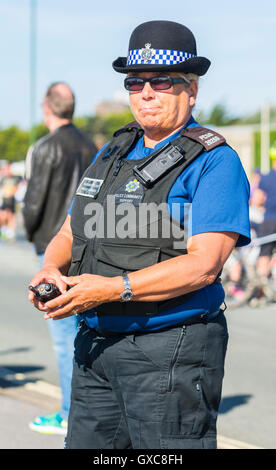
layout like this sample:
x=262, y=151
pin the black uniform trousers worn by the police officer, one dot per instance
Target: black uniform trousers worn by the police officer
x=156, y=390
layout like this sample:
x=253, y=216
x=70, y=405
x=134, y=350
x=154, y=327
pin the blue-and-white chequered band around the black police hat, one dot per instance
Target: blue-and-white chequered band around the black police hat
x=157, y=56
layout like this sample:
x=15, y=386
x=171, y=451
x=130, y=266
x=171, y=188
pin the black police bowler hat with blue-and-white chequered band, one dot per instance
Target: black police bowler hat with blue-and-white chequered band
x=157, y=46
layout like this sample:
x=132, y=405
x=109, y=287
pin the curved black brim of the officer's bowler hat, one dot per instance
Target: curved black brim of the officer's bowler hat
x=196, y=65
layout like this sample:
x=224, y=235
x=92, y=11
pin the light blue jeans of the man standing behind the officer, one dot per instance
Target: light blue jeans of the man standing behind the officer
x=63, y=333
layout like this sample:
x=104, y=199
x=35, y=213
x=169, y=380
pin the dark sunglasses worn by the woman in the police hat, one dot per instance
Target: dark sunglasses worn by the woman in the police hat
x=156, y=83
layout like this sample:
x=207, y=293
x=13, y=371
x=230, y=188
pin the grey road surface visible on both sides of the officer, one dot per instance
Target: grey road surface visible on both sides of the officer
x=29, y=383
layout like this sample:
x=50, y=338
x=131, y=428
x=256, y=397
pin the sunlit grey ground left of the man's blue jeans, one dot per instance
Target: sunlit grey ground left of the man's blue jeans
x=23, y=397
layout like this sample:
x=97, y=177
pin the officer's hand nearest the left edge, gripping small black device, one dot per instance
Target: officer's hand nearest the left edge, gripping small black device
x=48, y=274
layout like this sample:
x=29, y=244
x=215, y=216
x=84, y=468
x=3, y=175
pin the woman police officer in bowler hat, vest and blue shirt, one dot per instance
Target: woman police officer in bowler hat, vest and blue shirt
x=149, y=354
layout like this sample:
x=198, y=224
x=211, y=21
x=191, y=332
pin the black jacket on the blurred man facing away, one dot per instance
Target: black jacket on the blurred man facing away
x=58, y=162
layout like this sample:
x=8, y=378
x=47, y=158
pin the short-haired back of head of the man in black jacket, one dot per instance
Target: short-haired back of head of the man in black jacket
x=61, y=106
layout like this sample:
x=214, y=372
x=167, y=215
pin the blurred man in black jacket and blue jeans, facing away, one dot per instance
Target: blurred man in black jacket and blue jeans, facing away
x=57, y=162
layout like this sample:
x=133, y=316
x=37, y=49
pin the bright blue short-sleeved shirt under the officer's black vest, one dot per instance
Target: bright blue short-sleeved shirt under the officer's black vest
x=216, y=186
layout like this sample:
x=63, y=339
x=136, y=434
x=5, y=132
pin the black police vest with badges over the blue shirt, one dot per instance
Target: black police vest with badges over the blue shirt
x=120, y=219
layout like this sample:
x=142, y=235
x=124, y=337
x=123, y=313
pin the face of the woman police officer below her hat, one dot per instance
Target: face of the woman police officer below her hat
x=165, y=111
